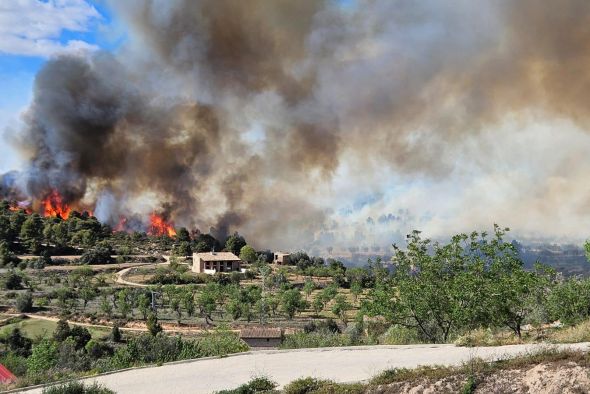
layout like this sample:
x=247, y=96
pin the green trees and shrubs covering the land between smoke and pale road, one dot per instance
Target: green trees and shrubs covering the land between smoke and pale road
x=473, y=290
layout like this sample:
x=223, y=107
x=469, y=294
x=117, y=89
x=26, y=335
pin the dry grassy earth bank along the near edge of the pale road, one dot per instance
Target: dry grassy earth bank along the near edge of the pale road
x=476, y=375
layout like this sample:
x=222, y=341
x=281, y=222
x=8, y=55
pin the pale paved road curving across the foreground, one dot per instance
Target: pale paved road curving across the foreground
x=339, y=364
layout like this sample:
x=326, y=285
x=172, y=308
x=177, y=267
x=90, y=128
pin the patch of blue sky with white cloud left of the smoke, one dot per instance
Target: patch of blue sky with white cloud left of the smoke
x=31, y=32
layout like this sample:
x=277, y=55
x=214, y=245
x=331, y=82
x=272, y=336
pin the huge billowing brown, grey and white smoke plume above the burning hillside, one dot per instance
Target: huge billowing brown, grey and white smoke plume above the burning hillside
x=252, y=115
